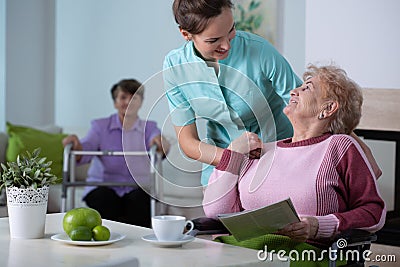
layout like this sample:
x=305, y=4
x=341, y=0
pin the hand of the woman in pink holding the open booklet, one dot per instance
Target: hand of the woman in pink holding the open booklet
x=307, y=228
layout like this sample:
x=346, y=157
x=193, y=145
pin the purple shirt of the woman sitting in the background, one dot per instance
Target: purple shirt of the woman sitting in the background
x=106, y=134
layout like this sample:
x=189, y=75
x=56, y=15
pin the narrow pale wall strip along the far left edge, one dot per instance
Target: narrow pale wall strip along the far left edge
x=2, y=64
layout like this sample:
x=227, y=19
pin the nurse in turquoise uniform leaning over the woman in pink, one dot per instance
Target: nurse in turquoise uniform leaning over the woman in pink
x=237, y=81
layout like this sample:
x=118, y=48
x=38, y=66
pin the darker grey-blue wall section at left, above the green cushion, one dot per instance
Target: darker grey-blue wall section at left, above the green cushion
x=29, y=62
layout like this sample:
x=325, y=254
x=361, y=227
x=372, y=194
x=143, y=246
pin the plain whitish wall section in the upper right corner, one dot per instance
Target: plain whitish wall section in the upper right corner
x=362, y=36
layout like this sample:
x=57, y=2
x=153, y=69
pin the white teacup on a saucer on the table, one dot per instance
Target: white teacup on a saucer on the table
x=170, y=227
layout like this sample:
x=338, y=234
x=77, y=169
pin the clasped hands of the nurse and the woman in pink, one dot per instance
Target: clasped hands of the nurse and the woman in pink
x=247, y=143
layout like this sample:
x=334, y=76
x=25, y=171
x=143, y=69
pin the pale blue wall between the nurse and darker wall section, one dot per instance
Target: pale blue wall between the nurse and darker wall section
x=100, y=42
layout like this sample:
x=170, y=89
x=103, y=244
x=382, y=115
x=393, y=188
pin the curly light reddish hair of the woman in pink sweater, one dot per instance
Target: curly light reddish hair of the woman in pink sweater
x=337, y=86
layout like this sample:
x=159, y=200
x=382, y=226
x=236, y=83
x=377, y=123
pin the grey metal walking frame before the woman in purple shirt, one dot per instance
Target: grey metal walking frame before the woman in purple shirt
x=69, y=179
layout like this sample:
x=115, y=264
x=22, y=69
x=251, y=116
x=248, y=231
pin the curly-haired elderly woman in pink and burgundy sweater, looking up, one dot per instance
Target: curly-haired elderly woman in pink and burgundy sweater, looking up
x=321, y=168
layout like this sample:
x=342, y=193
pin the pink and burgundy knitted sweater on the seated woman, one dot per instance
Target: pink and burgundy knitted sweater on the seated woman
x=328, y=177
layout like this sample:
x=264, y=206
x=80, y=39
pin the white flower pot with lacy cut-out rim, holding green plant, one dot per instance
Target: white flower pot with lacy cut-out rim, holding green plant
x=27, y=212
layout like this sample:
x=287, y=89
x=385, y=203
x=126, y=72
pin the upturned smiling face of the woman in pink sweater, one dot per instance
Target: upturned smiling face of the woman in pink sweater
x=305, y=101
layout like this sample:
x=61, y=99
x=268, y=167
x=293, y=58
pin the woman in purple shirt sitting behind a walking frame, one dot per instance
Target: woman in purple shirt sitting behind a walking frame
x=121, y=131
